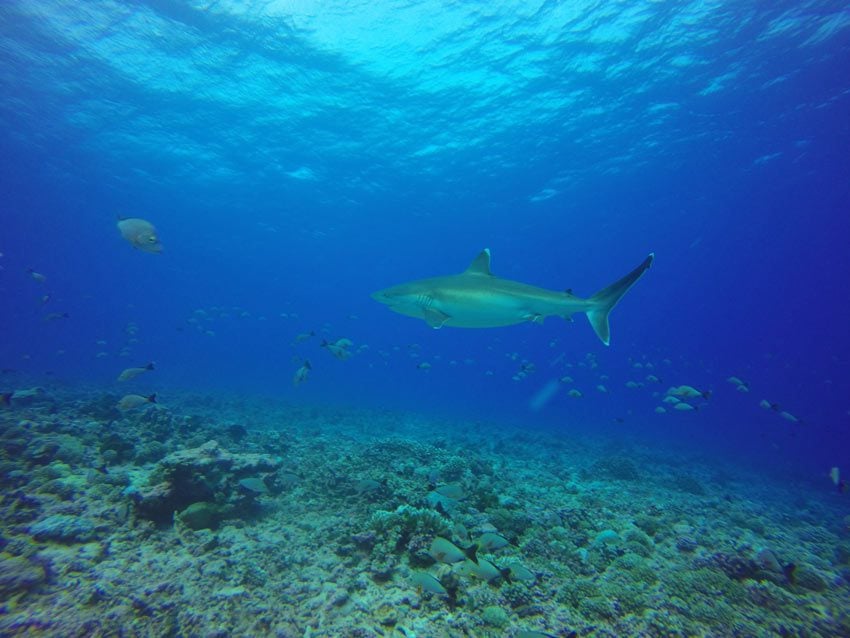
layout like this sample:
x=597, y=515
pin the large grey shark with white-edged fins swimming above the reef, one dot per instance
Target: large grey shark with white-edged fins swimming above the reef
x=476, y=298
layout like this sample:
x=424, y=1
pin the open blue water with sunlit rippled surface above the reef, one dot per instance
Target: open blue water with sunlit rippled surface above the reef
x=296, y=157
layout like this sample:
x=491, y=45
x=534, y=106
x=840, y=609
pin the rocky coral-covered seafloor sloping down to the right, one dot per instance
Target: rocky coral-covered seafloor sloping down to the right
x=227, y=516
